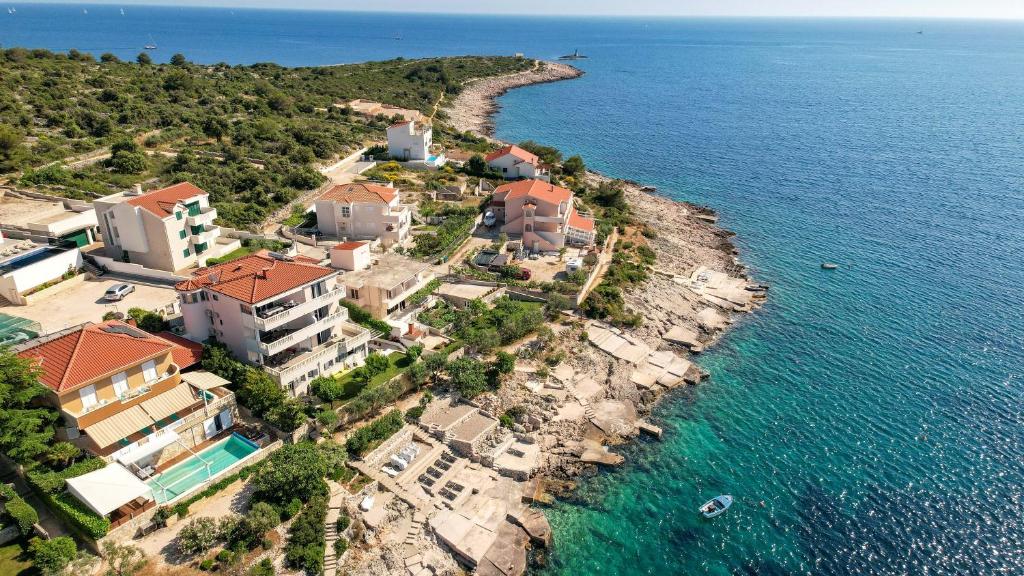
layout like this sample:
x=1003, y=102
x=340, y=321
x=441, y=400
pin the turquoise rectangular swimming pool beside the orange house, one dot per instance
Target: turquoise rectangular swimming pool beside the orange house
x=183, y=478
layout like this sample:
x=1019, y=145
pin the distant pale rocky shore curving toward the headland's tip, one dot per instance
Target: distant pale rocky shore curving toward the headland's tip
x=474, y=109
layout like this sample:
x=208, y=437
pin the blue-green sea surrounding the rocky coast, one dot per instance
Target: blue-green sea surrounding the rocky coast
x=867, y=421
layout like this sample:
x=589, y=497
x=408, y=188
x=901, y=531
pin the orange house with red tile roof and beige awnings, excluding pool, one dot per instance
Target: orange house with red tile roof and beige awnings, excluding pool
x=121, y=393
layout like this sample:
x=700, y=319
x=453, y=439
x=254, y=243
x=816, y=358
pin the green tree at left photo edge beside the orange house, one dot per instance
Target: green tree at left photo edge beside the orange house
x=26, y=431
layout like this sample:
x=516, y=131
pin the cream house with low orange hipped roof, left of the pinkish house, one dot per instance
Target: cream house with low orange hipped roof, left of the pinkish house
x=364, y=212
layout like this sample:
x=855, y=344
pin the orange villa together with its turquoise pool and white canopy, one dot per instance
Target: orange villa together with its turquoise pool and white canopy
x=125, y=396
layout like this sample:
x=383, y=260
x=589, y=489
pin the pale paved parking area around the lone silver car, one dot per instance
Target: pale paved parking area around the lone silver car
x=86, y=303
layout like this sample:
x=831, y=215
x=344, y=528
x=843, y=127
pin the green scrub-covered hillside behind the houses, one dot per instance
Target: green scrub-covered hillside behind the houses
x=250, y=136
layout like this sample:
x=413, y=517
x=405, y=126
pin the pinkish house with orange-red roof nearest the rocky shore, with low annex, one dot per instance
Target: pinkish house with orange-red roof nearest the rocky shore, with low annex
x=544, y=216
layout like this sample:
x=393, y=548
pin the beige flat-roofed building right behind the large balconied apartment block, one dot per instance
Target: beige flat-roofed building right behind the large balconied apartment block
x=386, y=287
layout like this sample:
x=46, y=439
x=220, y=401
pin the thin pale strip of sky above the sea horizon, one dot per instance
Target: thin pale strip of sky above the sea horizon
x=1002, y=10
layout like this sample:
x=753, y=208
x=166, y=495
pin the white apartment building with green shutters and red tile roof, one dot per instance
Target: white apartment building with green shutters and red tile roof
x=169, y=229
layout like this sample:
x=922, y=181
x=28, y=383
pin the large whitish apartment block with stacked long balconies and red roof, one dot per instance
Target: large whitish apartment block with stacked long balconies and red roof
x=277, y=312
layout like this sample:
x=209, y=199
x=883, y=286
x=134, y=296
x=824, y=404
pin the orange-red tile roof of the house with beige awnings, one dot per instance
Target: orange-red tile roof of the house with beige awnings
x=90, y=352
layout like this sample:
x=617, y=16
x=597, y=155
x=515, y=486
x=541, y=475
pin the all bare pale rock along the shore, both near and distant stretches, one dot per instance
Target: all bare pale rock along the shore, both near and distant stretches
x=611, y=379
